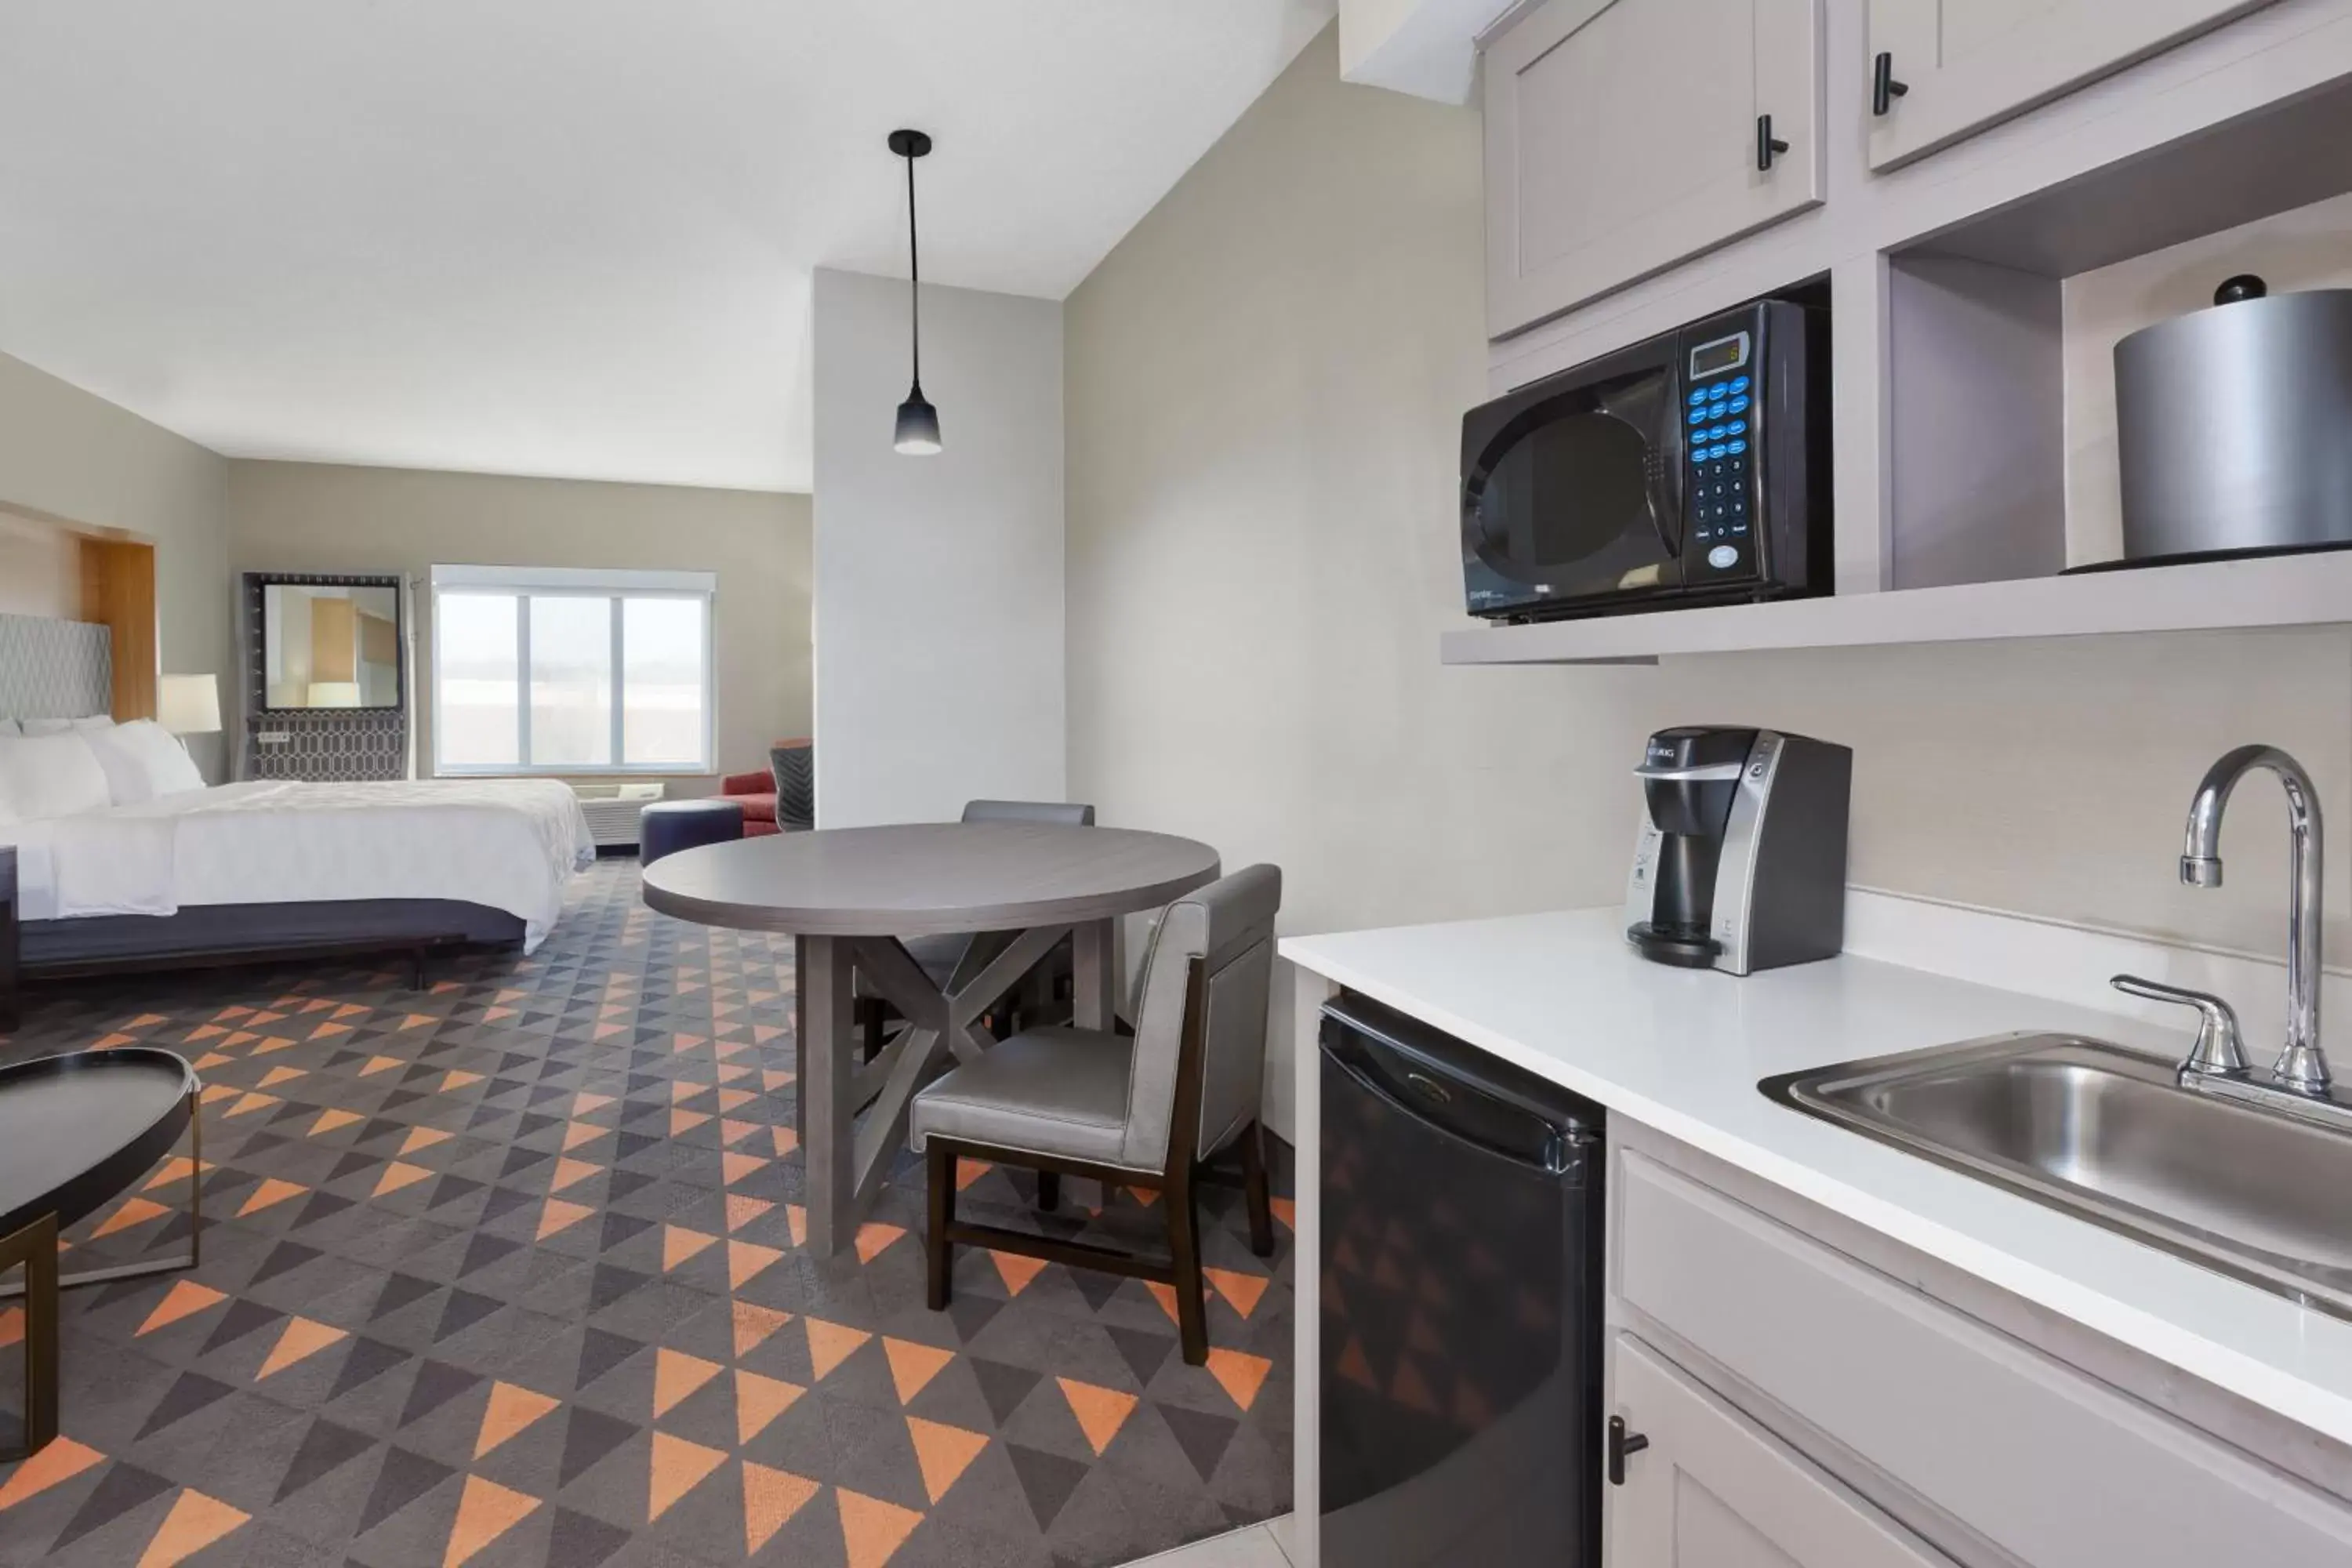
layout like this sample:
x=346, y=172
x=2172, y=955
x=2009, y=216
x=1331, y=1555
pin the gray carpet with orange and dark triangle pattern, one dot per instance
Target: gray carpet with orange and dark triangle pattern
x=507, y=1273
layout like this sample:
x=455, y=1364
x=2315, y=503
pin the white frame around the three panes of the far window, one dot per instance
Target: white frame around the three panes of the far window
x=577, y=584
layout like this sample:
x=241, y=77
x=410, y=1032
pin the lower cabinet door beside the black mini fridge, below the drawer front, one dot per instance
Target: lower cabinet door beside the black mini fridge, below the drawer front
x=1718, y=1492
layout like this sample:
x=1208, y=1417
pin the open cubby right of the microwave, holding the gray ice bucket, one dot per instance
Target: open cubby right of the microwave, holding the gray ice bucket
x=2003, y=450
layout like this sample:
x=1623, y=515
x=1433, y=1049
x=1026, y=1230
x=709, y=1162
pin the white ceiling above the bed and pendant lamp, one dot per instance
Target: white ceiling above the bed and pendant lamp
x=561, y=236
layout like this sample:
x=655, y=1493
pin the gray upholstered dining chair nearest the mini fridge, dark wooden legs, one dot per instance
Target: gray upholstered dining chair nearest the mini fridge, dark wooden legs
x=1147, y=1108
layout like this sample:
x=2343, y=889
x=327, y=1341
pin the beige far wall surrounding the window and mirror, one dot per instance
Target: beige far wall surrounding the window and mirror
x=326, y=518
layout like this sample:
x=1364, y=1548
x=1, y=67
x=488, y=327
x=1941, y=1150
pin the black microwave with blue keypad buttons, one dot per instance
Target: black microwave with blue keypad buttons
x=1692, y=469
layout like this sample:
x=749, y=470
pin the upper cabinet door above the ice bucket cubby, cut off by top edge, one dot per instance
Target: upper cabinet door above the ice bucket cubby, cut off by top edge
x=1965, y=65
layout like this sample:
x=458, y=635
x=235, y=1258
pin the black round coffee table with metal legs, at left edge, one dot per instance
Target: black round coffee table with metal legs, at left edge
x=74, y=1134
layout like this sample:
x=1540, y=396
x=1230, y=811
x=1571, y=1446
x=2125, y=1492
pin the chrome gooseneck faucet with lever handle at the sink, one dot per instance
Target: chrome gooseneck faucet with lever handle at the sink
x=2299, y=1080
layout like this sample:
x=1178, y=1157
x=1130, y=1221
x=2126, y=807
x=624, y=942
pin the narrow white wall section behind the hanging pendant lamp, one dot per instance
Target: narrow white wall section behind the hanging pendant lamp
x=940, y=579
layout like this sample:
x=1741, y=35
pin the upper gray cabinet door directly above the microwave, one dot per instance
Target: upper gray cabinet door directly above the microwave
x=1622, y=138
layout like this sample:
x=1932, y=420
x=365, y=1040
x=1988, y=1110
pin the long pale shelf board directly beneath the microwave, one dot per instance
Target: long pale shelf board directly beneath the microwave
x=2200, y=598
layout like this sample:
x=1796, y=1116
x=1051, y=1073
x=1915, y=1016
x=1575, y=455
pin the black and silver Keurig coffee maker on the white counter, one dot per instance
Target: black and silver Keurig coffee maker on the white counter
x=1742, y=859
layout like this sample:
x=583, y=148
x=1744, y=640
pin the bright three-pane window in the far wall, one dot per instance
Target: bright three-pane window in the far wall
x=549, y=671
